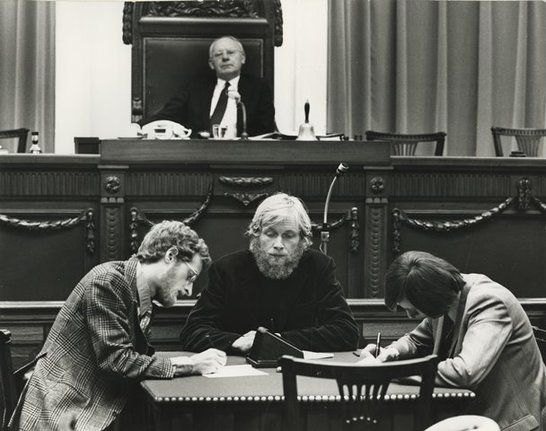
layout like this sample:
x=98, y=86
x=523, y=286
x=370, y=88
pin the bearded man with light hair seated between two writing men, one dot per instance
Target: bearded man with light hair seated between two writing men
x=279, y=283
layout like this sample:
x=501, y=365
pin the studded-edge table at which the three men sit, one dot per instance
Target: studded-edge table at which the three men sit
x=257, y=402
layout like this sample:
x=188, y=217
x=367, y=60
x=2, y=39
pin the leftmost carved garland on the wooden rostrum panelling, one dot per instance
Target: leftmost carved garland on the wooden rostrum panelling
x=86, y=217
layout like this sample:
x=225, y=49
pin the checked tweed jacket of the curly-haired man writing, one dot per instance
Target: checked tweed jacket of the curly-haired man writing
x=93, y=356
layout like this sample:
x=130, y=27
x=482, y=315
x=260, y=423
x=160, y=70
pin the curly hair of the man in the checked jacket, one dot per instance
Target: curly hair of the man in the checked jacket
x=167, y=234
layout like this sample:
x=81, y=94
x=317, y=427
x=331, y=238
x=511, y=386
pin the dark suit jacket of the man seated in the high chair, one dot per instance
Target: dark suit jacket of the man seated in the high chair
x=191, y=108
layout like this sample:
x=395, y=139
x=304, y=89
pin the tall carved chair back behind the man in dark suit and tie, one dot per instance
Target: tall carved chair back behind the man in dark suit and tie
x=170, y=43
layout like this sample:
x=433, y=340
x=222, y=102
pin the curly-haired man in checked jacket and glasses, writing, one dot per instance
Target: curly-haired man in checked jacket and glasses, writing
x=98, y=350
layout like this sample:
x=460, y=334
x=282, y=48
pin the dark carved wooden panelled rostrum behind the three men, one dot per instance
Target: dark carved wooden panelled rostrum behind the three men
x=61, y=215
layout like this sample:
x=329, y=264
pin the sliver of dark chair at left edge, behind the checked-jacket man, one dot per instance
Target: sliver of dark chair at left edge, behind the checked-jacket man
x=8, y=391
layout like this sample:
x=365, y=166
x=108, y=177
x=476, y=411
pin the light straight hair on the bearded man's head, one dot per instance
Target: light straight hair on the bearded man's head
x=278, y=207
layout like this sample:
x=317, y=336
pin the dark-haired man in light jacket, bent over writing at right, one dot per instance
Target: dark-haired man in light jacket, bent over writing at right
x=480, y=332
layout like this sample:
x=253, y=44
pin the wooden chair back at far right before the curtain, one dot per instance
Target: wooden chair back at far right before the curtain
x=528, y=141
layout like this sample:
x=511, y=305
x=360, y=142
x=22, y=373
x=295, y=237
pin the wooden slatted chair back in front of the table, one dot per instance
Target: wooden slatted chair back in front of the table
x=362, y=388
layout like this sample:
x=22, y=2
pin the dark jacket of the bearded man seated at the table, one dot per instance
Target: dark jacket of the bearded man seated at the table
x=308, y=308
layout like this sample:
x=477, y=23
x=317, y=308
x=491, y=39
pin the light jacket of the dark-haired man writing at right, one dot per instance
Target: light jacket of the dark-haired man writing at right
x=492, y=351
